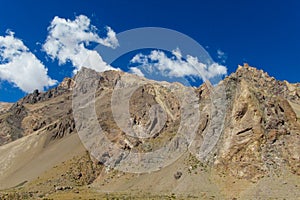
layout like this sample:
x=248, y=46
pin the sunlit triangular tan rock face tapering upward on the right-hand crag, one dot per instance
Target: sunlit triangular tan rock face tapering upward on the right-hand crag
x=240, y=148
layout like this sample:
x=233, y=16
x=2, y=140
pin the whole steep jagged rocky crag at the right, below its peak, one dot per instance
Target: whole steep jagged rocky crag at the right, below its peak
x=260, y=127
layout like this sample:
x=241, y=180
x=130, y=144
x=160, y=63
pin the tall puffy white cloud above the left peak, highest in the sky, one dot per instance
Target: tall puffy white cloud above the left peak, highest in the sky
x=68, y=40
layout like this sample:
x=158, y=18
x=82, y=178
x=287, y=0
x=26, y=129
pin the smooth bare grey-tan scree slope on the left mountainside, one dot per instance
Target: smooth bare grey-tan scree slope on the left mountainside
x=27, y=158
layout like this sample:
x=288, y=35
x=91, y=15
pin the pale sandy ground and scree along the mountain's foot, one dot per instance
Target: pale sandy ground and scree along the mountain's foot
x=196, y=182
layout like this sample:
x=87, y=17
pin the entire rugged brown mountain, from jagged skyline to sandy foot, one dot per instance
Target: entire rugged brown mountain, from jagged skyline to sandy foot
x=117, y=135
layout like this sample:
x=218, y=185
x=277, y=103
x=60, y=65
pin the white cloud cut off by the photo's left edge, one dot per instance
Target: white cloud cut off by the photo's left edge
x=20, y=67
